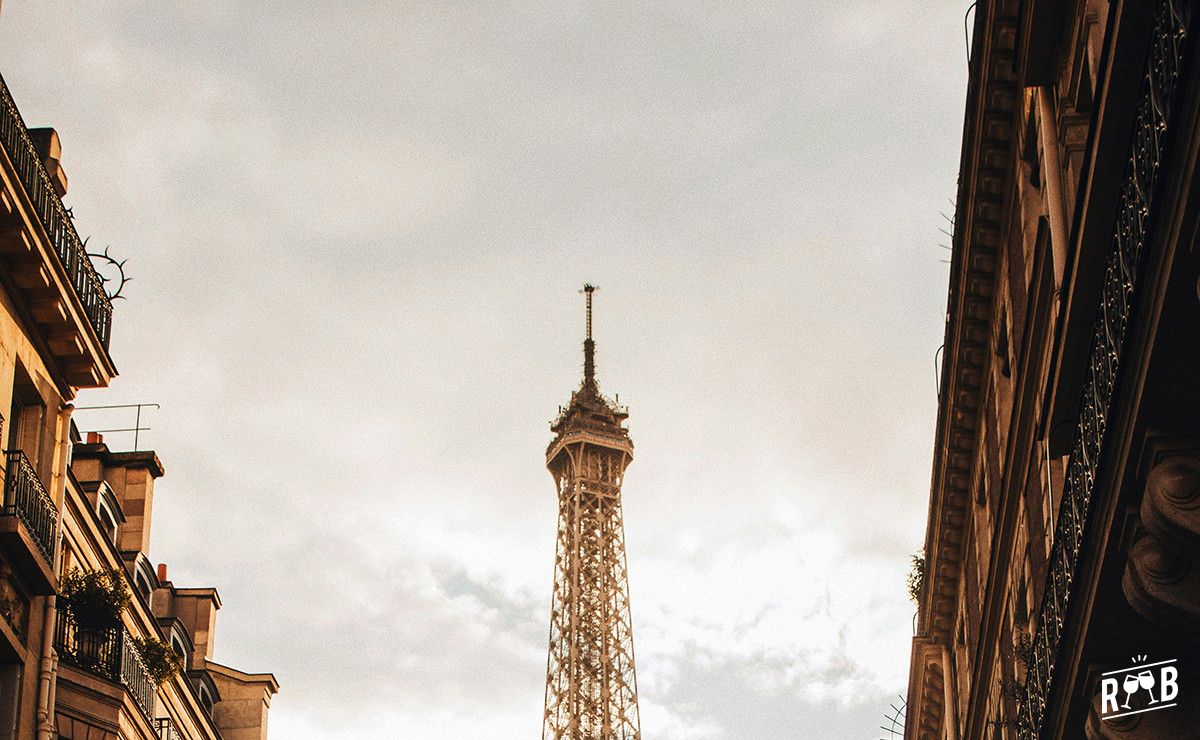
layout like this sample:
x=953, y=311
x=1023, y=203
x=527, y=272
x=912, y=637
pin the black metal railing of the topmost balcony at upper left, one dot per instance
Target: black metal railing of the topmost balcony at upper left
x=65, y=240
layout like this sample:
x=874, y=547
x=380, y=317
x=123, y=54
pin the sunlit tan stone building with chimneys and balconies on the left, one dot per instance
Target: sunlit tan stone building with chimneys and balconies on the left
x=75, y=508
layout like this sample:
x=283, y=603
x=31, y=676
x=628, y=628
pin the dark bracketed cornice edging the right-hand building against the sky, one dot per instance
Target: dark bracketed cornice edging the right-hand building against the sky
x=986, y=173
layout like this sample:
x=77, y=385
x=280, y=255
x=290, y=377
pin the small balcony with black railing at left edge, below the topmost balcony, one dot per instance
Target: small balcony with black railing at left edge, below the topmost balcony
x=29, y=525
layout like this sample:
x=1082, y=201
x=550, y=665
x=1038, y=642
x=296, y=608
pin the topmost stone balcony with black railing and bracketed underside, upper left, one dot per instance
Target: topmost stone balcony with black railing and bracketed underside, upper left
x=46, y=258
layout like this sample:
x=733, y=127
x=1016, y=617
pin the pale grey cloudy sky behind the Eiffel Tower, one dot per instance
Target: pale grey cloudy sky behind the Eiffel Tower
x=357, y=233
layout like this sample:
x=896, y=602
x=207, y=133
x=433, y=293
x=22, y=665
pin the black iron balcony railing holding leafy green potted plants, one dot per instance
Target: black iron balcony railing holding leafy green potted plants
x=109, y=653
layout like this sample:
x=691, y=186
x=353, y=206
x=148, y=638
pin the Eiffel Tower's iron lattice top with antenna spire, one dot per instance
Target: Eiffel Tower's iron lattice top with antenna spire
x=591, y=683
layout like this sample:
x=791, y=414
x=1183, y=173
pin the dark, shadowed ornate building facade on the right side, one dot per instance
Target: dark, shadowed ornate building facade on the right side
x=1063, y=551
